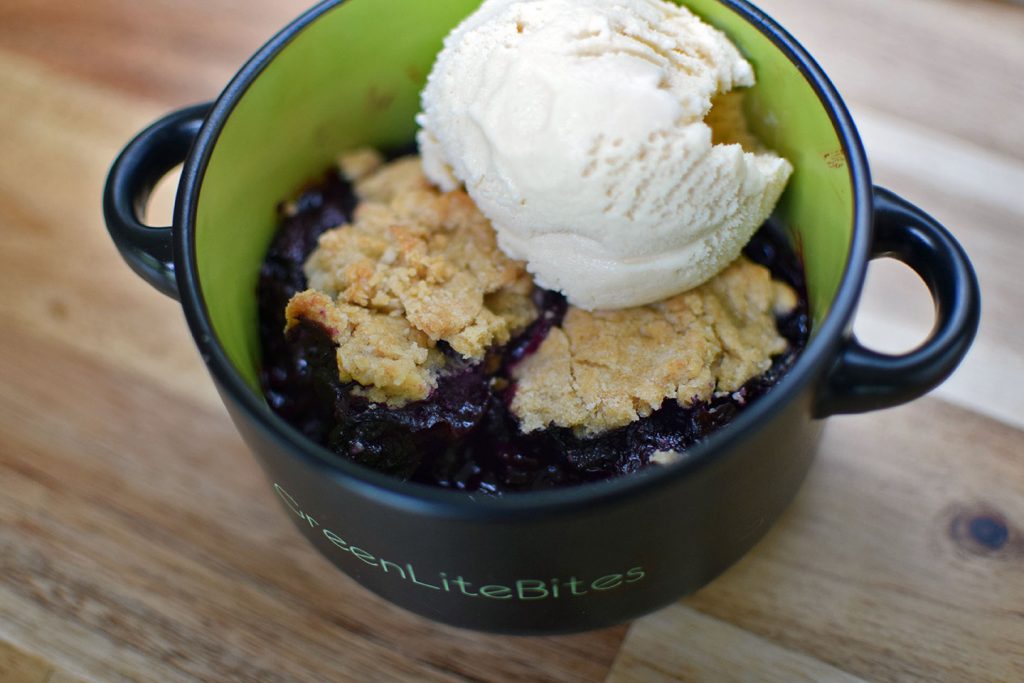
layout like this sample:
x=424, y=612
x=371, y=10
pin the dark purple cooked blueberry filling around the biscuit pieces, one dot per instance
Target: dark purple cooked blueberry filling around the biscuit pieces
x=464, y=436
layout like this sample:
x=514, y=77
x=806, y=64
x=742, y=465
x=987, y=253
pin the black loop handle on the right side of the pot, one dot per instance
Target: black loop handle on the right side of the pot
x=864, y=380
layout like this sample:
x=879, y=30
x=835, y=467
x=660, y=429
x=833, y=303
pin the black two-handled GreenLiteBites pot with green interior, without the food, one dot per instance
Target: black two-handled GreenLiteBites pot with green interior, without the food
x=350, y=75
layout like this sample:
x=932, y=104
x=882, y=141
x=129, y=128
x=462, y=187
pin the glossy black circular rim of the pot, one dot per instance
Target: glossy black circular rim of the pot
x=437, y=502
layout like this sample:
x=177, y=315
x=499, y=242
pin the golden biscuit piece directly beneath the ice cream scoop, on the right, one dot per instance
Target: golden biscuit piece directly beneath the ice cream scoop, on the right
x=605, y=370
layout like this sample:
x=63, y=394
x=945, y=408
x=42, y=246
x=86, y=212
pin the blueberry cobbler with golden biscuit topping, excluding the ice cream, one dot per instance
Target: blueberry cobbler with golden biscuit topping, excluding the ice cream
x=397, y=334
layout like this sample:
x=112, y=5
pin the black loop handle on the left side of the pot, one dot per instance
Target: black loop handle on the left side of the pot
x=144, y=162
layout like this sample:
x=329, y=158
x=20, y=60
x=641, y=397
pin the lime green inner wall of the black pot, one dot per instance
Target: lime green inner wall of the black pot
x=353, y=78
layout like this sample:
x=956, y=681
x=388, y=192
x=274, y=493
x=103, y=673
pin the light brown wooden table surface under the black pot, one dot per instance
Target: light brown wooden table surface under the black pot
x=140, y=540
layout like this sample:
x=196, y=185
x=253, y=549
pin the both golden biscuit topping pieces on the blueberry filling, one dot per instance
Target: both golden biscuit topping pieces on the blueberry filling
x=417, y=268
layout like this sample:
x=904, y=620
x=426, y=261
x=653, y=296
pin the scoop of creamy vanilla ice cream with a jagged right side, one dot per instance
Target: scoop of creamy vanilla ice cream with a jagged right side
x=578, y=129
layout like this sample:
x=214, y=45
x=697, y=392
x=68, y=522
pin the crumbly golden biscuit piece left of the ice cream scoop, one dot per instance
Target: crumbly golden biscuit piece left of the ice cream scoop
x=416, y=268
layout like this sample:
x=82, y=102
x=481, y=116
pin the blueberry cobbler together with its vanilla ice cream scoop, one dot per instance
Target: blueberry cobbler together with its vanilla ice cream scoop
x=567, y=285
